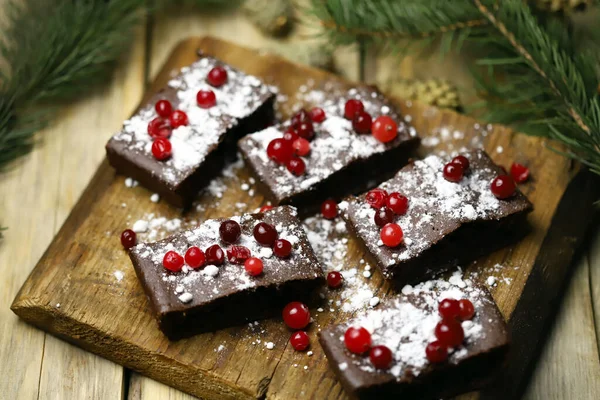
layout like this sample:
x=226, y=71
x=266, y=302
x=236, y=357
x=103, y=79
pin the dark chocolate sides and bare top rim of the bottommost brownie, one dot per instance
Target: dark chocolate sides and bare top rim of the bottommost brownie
x=482, y=360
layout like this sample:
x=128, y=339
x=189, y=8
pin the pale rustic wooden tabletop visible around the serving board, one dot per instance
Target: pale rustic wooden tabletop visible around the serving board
x=39, y=193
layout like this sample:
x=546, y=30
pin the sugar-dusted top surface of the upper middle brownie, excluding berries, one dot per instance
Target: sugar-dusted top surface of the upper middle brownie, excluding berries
x=335, y=144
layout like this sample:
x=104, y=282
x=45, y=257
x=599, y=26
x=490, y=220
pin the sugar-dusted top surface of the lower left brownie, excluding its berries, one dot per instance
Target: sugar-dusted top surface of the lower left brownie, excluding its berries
x=173, y=291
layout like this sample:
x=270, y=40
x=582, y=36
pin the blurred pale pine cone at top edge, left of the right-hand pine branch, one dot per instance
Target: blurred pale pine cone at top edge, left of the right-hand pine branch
x=273, y=17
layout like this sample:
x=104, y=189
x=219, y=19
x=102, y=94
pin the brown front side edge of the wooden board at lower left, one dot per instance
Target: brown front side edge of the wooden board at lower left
x=178, y=375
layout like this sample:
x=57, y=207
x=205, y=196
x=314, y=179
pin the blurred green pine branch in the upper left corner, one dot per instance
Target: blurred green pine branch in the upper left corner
x=52, y=51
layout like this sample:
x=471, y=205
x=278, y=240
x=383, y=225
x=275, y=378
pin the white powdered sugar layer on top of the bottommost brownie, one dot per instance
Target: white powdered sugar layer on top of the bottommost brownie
x=406, y=324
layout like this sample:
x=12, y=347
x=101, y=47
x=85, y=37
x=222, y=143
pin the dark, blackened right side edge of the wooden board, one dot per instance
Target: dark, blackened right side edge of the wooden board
x=543, y=291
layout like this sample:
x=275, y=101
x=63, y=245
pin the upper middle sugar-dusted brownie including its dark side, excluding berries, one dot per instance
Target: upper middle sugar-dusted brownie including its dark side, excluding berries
x=341, y=161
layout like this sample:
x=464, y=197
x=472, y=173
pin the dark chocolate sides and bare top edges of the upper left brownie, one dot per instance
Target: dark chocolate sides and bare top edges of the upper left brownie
x=180, y=192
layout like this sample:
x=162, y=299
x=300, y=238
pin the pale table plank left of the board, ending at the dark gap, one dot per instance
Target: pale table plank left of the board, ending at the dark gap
x=43, y=192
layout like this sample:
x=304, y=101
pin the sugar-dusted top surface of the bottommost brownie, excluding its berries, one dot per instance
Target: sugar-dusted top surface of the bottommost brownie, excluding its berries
x=406, y=324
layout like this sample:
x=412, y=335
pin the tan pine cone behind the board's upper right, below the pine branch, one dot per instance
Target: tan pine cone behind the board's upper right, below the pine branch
x=434, y=92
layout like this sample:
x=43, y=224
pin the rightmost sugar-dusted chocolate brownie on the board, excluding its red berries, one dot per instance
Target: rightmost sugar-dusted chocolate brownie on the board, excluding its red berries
x=446, y=223
